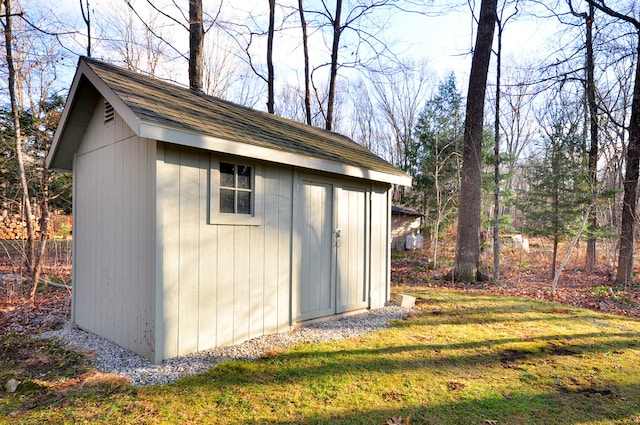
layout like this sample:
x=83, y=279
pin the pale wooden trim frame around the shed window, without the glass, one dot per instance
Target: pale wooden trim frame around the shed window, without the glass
x=257, y=194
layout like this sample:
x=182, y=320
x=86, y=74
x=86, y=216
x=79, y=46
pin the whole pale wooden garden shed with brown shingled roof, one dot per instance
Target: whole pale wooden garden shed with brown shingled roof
x=201, y=223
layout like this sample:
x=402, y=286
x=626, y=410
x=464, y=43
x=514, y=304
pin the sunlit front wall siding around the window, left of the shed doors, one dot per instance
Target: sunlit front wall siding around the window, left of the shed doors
x=222, y=284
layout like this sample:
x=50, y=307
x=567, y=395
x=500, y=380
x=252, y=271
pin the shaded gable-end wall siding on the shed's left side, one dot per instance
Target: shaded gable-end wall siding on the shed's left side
x=114, y=234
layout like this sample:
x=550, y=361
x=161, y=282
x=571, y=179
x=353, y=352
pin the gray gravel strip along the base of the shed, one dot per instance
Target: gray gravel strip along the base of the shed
x=110, y=358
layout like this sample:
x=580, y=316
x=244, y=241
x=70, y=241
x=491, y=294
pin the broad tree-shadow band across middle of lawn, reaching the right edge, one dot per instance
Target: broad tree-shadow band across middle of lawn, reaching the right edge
x=452, y=359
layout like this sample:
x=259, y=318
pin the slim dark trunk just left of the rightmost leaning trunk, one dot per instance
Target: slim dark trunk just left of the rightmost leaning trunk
x=590, y=260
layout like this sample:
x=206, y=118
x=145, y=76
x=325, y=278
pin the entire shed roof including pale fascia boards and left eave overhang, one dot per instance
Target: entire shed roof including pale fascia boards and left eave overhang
x=166, y=112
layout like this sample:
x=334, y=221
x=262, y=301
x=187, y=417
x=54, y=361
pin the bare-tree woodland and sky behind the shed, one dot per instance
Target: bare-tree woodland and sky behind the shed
x=560, y=144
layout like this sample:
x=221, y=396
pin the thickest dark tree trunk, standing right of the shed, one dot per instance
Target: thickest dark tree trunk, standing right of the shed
x=468, y=240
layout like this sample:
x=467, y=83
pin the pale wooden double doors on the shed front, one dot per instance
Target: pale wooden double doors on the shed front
x=331, y=226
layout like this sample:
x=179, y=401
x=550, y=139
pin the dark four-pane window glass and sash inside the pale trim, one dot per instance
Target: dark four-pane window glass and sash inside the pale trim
x=235, y=189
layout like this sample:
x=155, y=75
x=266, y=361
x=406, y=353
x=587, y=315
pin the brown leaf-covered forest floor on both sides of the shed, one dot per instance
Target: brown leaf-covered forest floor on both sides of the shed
x=522, y=274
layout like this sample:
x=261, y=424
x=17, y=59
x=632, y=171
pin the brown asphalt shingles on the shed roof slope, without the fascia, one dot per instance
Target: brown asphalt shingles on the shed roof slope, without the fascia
x=167, y=104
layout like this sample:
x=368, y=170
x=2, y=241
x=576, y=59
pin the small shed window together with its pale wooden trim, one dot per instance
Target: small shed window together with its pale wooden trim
x=235, y=191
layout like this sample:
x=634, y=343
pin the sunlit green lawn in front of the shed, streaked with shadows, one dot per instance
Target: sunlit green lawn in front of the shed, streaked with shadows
x=465, y=359
